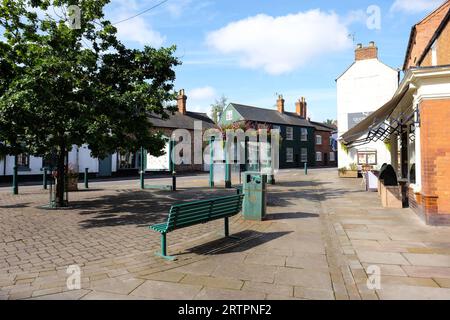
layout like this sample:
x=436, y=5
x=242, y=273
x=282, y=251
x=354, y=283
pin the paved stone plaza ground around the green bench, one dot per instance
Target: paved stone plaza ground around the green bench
x=320, y=236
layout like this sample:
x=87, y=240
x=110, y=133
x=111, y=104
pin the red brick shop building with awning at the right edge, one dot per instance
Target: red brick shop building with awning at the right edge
x=414, y=123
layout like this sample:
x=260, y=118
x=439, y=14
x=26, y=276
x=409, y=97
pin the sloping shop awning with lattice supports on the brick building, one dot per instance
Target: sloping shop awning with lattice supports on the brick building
x=373, y=125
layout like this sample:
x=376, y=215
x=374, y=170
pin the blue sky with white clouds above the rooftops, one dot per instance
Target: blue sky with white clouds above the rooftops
x=252, y=50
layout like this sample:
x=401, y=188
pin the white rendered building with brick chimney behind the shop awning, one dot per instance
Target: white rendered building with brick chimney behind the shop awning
x=361, y=89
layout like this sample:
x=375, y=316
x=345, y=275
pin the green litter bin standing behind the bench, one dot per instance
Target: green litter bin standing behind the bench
x=255, y=195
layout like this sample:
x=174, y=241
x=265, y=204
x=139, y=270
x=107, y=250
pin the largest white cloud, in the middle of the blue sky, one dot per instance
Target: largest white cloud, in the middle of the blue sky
x=281, y=44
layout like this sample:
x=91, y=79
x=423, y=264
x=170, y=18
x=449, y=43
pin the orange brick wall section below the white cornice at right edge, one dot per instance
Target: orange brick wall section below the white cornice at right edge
x=435, y=150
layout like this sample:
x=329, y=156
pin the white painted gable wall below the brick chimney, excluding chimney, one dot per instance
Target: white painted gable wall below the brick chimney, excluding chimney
x=364, y=87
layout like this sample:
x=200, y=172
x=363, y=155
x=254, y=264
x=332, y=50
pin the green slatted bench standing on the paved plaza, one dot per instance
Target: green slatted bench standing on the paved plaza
x=197, y=212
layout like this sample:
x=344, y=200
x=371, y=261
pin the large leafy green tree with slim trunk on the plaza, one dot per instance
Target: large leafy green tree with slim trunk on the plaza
x=61, y=86
